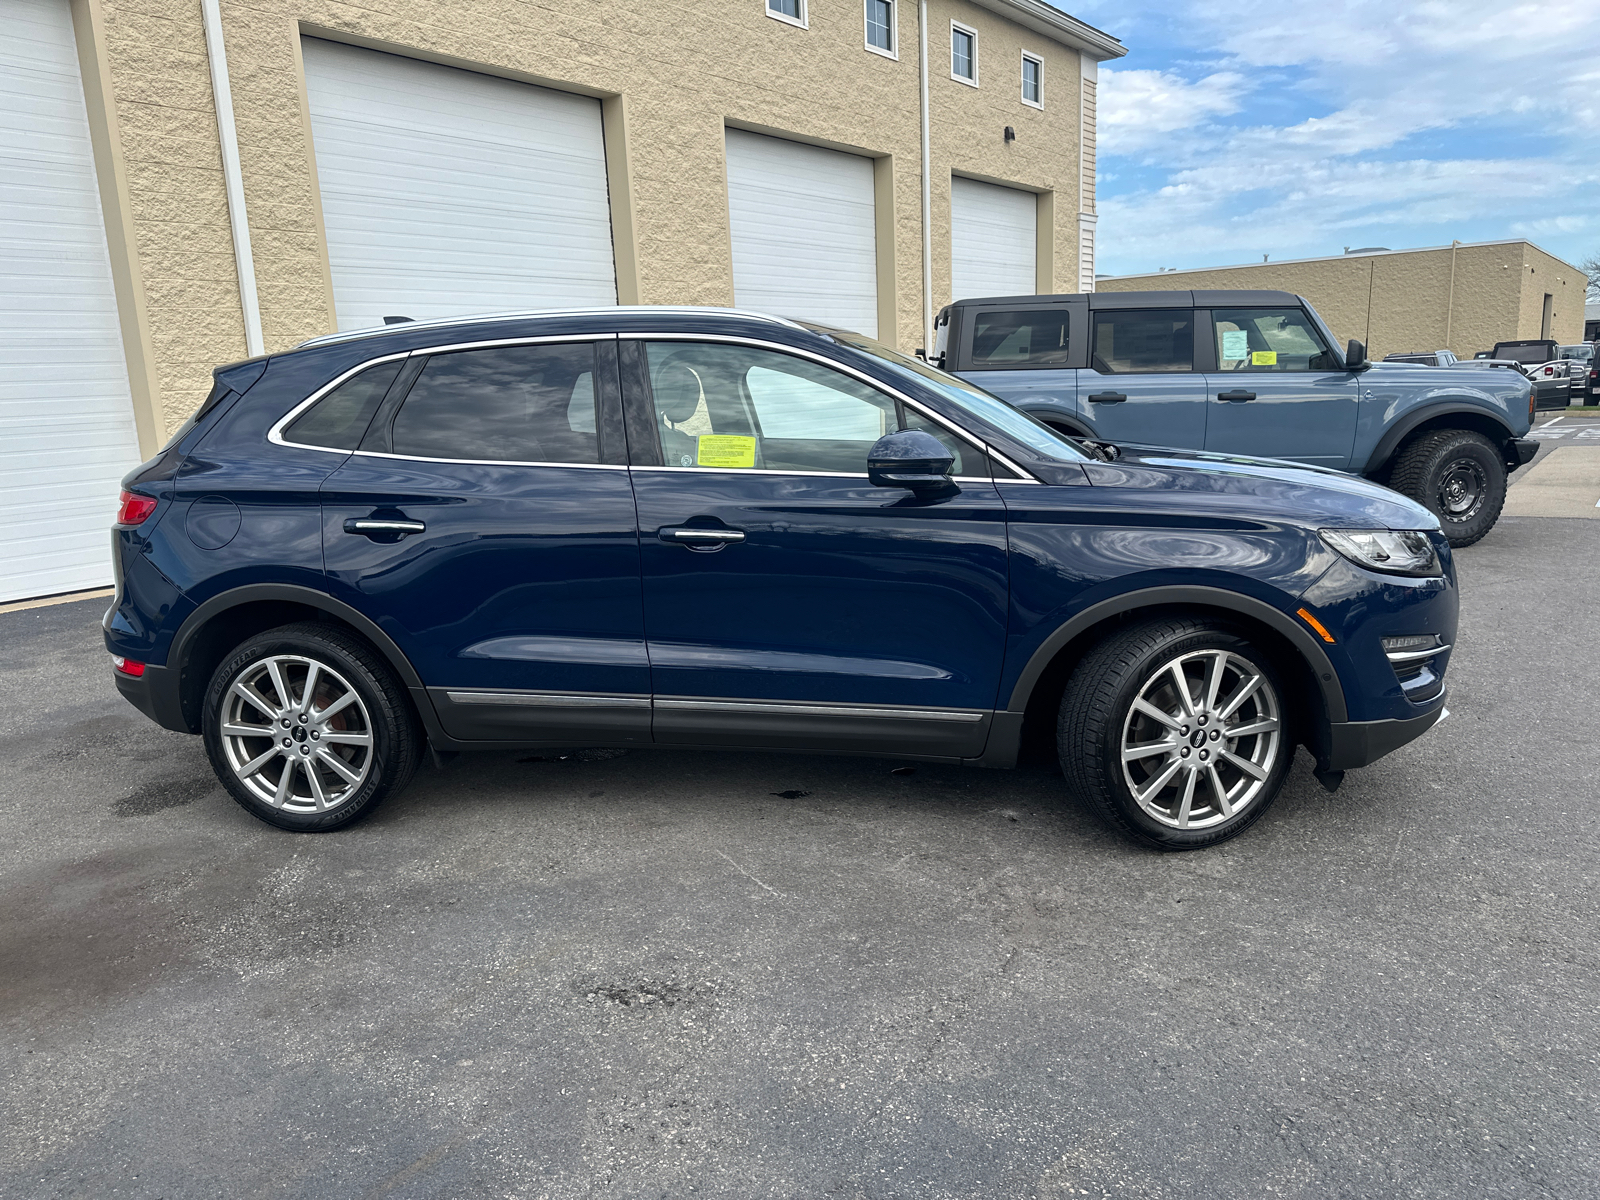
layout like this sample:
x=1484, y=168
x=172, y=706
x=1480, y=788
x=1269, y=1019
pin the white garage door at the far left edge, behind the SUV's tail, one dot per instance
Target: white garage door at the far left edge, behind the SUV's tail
x=66, y=418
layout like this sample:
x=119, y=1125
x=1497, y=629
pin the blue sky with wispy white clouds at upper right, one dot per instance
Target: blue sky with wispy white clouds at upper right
x=1258, y=127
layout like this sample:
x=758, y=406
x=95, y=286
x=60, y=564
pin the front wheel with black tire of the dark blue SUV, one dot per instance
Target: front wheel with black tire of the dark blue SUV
x=1098, y=716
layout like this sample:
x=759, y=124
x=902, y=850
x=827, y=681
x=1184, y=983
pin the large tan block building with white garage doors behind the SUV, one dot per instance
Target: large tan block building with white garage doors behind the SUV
x=196, y=182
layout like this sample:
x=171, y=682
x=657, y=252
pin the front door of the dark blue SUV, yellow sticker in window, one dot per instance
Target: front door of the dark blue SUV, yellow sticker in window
x=790, y=602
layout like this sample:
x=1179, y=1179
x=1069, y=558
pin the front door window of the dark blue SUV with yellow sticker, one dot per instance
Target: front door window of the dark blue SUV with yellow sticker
x=735, y=409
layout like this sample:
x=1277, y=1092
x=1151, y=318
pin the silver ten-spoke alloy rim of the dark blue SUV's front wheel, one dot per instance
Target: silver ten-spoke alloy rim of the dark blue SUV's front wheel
x=1201, y=740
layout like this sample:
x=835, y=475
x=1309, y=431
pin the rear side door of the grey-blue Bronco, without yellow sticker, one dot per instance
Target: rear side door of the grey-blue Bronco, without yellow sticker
x=1142, y=385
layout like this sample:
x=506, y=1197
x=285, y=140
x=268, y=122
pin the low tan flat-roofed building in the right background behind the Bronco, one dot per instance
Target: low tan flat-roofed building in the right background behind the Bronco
x=1463, y=297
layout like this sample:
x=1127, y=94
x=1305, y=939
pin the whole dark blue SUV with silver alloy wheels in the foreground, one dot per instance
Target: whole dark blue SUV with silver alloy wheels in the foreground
x=706, y=529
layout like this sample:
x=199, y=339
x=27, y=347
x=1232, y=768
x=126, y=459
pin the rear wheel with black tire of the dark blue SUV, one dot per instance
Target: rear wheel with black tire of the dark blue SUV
x=311, y=793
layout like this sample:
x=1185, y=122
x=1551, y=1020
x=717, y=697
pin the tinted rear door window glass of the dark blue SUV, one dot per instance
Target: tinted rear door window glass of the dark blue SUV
x=514, y=404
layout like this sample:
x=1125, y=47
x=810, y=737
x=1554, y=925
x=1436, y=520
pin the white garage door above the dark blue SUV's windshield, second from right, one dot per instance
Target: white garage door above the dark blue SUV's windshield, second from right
x=804, y=233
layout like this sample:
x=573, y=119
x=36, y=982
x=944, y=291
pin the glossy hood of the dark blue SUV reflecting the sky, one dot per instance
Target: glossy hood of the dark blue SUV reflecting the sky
x=1260, y=487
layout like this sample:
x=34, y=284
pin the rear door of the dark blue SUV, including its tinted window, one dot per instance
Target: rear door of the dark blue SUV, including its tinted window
x=487, y=526
